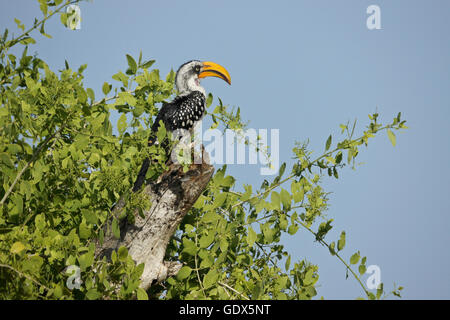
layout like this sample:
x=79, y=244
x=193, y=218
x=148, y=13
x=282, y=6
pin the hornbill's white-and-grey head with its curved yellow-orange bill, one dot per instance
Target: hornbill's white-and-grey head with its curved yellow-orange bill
x=189, y=74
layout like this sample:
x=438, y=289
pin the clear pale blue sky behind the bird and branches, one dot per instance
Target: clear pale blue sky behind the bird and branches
x=305, y=67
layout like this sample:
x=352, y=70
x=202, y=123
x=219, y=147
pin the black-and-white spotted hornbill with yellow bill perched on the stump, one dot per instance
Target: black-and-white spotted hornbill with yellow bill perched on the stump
x=186, y=109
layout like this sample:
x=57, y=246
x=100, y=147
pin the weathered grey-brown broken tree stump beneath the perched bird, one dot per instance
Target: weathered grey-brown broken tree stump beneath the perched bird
x=172, y=196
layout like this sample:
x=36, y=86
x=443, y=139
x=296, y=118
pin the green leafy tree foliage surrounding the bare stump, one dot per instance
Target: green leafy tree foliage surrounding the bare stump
x=63, y=168
